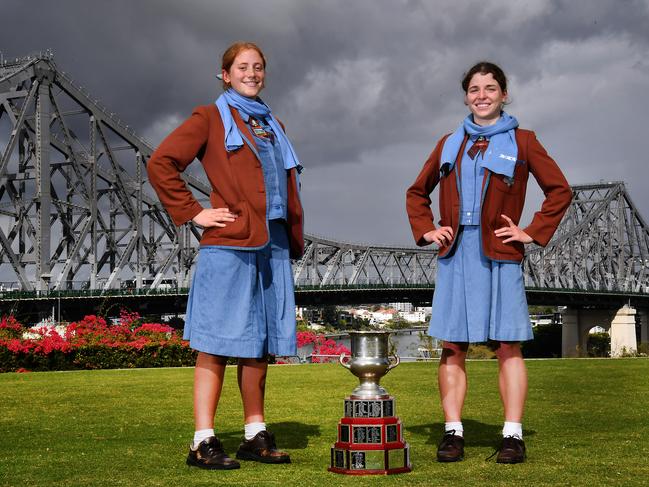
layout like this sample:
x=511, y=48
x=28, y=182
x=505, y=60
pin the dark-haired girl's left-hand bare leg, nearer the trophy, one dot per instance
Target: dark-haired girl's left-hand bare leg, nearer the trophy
x=452, y=379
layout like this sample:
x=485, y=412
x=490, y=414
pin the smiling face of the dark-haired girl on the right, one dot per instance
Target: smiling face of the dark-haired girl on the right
x=485, y=98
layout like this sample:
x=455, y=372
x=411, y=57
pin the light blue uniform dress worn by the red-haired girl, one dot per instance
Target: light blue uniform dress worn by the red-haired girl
x=241, y=303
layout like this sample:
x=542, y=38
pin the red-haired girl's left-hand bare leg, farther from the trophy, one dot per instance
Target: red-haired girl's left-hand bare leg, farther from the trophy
x=208, y=382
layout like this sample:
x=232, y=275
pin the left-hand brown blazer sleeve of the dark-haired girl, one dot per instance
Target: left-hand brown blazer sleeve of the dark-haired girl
x=418, y=201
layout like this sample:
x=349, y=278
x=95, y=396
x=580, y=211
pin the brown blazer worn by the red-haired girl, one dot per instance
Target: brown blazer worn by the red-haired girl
x=236, y=178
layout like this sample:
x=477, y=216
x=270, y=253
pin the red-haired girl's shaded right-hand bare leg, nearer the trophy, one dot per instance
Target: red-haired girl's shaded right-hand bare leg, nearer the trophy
x=251, y=375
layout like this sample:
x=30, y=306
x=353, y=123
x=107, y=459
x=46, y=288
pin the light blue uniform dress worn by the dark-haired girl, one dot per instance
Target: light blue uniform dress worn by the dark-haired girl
x=477, y=299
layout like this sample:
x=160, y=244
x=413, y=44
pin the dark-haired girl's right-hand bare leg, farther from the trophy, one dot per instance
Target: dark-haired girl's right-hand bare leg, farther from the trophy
x=512, y=380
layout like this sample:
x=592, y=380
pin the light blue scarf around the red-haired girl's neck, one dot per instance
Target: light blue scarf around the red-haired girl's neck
x=257, y=109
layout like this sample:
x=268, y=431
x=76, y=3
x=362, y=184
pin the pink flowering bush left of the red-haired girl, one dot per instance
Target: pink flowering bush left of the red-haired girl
x=92, y=343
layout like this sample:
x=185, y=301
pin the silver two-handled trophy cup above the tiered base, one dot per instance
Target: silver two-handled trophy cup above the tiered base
x=369, y=362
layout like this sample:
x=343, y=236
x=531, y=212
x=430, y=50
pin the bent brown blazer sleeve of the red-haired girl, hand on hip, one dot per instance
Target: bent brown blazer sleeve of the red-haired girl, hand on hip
x=171, y=158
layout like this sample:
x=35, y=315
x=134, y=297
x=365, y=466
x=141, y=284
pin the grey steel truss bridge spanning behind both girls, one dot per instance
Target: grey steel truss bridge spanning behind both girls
x=79, y=222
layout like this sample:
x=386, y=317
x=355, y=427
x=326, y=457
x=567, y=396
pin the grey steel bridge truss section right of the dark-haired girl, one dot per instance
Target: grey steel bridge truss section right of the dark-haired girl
x=602, y=244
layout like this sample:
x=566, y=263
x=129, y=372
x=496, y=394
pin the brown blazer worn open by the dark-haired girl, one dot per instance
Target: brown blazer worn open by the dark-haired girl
x=500, y=198
